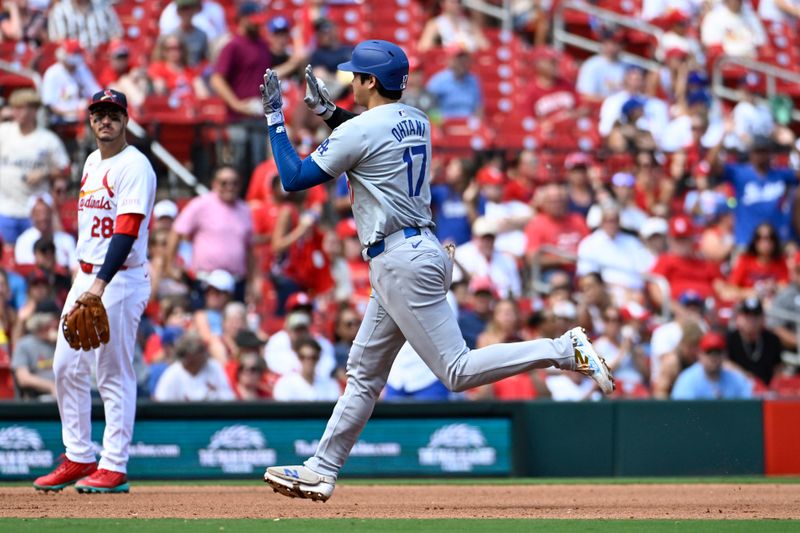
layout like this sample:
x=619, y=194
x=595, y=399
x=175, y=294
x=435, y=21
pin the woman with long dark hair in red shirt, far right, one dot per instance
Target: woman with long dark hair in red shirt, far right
x=761, y=270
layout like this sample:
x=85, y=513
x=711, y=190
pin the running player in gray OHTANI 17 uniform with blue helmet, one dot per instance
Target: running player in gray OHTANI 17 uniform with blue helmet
x=386, y=153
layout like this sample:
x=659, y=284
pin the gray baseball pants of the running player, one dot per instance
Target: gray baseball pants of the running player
x=409, y=281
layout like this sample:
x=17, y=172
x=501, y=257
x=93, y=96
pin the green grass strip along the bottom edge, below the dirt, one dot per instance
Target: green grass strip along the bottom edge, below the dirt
x=415, y=526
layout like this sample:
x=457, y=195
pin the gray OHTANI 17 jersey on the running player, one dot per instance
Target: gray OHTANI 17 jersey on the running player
x=386, y=153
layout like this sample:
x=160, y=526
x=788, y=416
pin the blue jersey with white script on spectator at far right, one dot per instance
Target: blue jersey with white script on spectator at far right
x=759, y=199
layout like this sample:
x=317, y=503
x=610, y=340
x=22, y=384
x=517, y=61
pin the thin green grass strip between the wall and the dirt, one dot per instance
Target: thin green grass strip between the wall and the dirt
x=734, y=480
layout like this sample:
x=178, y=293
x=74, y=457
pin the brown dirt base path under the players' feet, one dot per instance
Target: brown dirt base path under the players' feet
x=443, y=501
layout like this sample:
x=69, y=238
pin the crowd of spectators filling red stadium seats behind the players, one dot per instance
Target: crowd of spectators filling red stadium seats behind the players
x=578, y=190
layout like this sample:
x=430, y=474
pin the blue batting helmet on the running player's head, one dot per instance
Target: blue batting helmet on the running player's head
x=384, y=60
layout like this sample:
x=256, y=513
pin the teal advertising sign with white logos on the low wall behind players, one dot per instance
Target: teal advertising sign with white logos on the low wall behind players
x=180, y=449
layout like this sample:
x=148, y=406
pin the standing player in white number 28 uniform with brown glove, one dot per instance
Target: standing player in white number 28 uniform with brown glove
x=105, y=304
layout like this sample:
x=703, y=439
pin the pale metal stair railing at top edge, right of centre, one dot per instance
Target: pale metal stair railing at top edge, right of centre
x=562, y=37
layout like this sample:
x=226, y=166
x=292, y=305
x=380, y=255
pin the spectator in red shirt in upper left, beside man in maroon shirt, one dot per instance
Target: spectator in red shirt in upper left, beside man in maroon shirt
x=171, y=75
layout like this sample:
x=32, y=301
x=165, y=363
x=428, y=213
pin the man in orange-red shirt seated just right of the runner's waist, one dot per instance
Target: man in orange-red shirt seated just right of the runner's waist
x=553, y=225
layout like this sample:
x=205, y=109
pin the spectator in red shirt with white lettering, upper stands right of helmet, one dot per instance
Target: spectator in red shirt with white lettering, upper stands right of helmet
x=548, y=97
